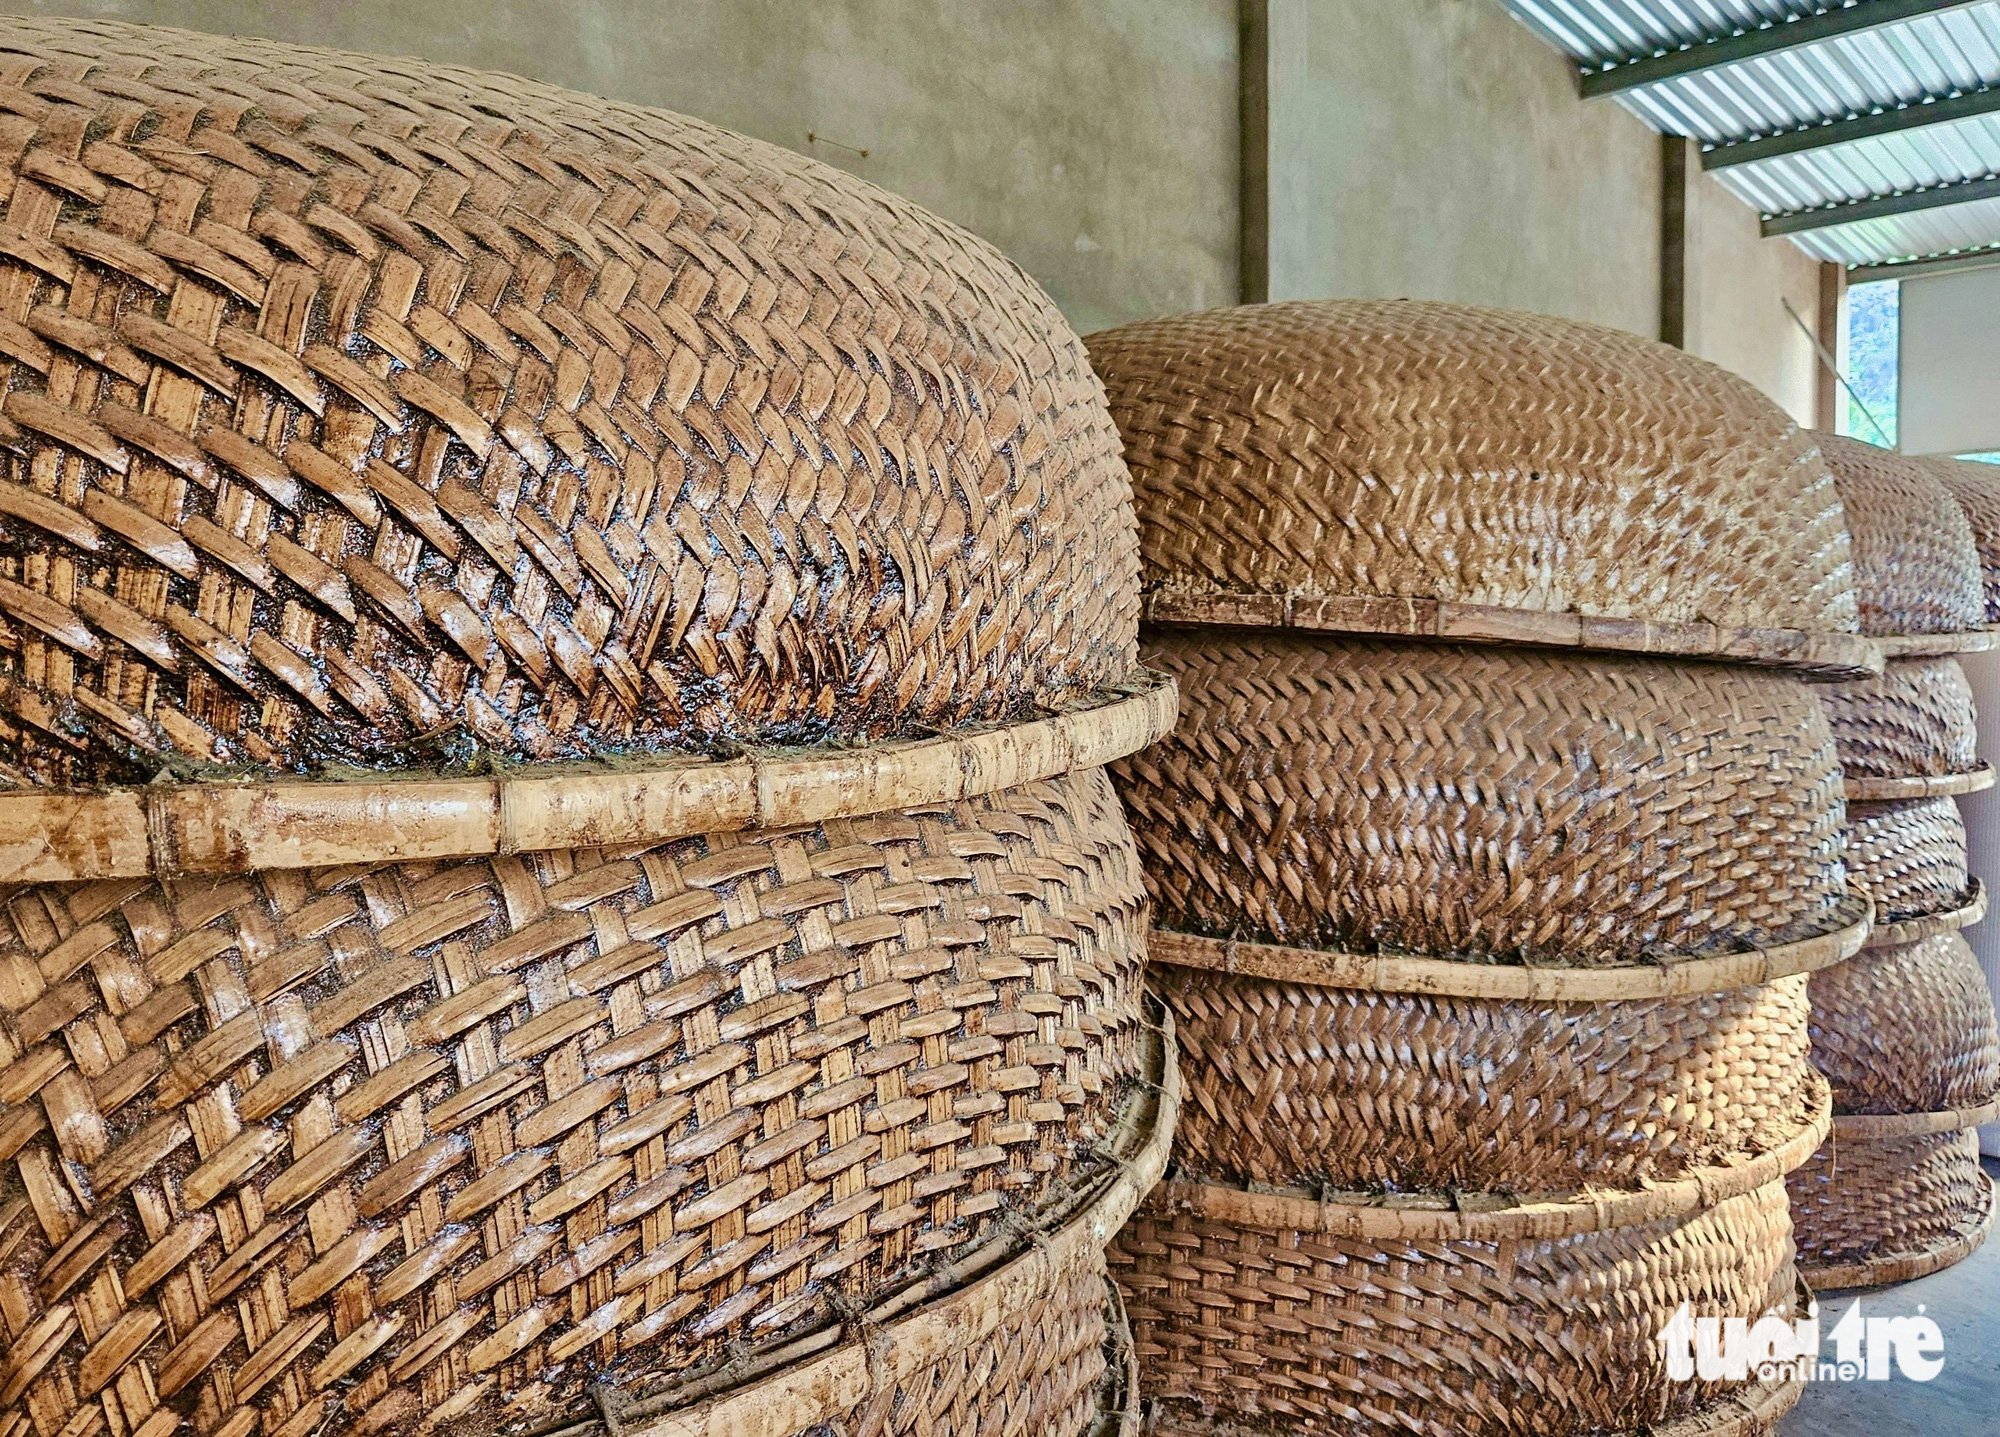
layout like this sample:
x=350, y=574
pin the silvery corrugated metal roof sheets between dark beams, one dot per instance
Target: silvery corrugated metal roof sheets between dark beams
x=1899, y=65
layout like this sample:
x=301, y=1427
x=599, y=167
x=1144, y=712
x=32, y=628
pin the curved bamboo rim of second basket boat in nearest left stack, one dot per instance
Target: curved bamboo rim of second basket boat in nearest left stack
x=897, y=1344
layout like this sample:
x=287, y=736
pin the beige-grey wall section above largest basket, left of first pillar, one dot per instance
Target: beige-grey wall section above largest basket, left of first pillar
x=1091, y=141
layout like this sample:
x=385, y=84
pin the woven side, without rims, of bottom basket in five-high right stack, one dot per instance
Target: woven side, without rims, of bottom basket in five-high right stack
x=1889, y=1202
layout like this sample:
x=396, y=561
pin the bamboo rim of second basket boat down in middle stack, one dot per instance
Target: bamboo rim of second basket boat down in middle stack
x=1445, y=978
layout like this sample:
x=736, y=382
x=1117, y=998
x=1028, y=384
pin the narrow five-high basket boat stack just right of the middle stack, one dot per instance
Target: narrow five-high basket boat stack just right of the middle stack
x=1905, y=1032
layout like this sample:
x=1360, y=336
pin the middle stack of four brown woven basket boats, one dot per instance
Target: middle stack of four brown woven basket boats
x=1489, y=860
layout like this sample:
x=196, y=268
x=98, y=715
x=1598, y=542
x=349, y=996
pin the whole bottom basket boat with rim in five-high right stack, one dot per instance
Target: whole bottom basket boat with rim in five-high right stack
x=1893, y=1202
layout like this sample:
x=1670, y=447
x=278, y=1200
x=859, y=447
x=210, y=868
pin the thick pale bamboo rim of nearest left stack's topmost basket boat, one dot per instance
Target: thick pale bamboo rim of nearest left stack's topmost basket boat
x=305, y=824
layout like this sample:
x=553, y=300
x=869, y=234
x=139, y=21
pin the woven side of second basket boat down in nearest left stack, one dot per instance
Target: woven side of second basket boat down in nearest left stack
x=419, y=1134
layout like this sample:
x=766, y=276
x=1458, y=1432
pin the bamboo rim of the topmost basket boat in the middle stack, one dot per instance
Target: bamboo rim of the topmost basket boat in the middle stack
x=1831, y=657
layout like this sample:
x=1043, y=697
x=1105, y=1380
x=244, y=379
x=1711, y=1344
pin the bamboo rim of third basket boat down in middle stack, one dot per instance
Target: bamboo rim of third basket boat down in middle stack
x=1437, y=1220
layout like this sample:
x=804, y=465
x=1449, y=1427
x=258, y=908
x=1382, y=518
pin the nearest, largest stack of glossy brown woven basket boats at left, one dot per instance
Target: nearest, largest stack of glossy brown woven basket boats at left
x=557, y=675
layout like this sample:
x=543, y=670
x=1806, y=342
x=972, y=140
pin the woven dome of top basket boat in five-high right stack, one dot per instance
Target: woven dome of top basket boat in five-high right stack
x=1917, y=567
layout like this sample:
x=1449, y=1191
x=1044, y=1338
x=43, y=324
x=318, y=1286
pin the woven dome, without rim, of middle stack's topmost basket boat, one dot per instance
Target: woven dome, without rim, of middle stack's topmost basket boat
x=1439, y=451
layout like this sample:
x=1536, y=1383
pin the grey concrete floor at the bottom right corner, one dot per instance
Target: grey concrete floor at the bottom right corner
x=1961, y=1402
